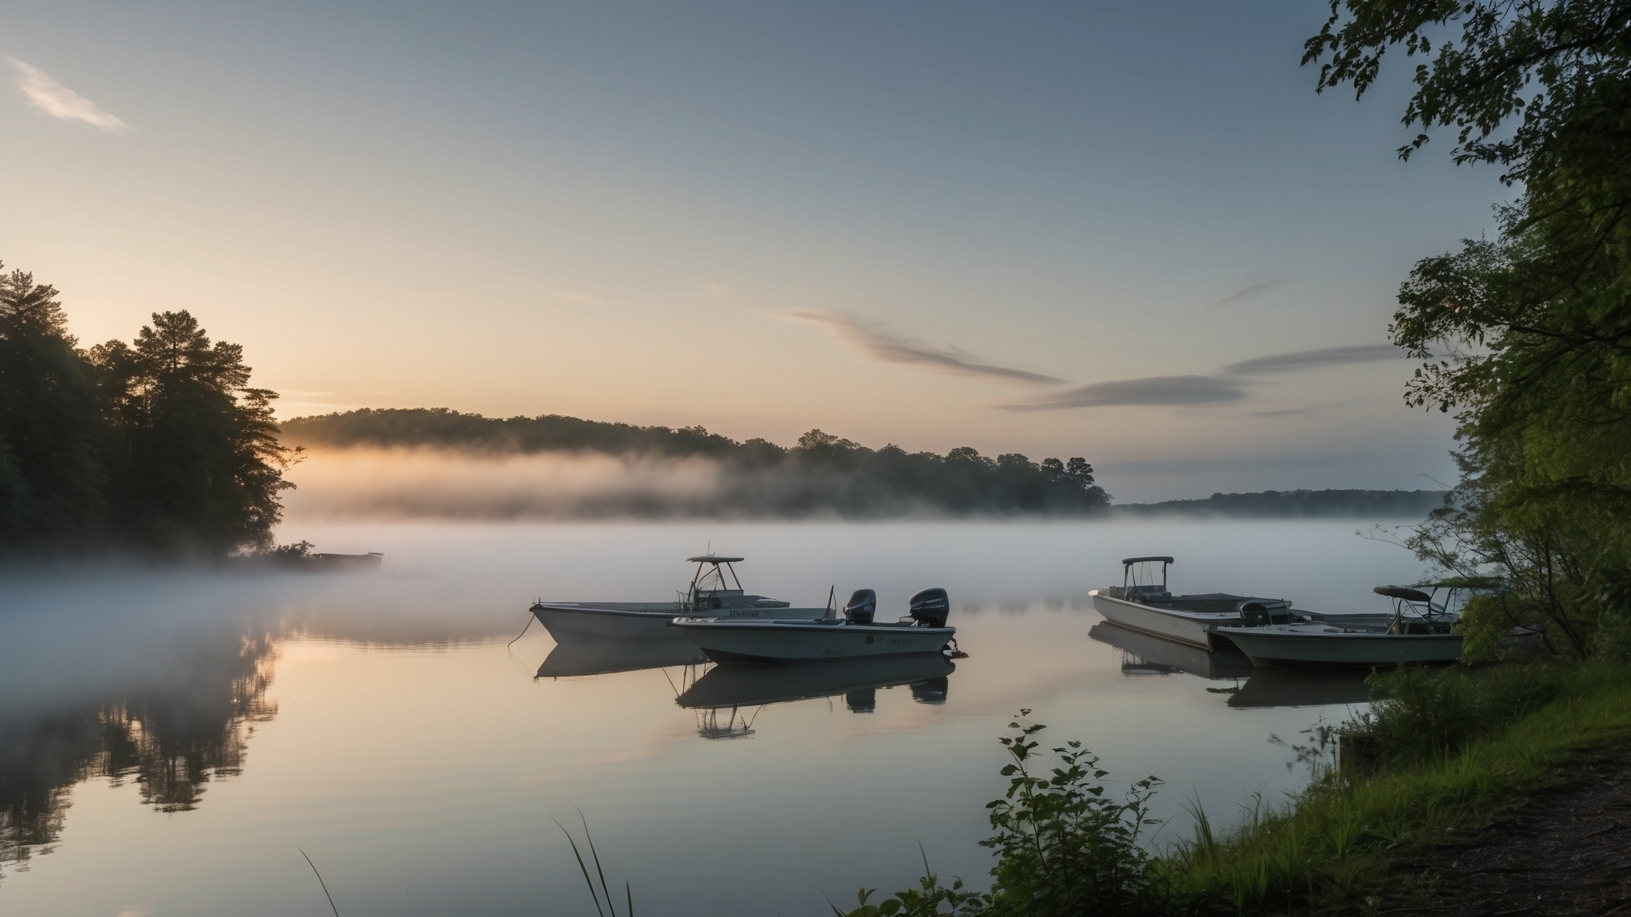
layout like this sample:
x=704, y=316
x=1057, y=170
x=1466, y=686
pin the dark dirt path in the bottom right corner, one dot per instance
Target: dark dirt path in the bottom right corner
x=1565, y=854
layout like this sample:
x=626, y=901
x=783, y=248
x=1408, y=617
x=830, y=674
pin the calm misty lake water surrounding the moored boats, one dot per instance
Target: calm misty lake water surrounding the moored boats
x=170, y=743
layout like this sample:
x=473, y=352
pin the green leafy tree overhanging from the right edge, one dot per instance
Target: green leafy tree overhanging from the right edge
x=1527, y=337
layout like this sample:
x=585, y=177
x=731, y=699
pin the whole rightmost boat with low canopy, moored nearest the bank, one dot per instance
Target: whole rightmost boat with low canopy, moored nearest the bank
x=1417, y=632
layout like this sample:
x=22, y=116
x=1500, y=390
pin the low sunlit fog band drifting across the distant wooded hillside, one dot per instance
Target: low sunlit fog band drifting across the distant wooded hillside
x=448, y=484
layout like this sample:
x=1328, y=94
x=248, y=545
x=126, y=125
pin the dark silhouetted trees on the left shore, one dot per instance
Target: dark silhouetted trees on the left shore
x=157, y=445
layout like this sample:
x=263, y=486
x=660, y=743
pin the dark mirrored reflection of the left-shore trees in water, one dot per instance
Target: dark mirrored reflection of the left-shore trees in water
x=170, y=738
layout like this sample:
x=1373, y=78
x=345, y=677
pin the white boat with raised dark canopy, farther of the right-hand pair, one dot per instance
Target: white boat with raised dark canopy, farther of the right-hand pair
x=1149, y=608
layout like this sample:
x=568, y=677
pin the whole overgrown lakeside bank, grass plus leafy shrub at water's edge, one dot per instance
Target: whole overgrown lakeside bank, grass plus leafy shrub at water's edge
x=1444, y=751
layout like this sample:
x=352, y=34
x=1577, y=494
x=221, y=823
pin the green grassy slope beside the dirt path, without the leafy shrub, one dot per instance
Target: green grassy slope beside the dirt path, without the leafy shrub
x=1328, y=849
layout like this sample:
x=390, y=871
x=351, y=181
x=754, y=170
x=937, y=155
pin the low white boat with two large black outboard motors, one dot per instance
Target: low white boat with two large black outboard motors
x=831, y=637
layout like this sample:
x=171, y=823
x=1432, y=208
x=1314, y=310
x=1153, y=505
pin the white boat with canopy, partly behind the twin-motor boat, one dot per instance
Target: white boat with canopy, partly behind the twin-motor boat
x=715, y=593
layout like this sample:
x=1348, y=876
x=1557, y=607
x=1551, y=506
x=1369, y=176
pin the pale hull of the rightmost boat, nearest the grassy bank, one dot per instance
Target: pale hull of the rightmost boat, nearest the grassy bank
x=1288, y=649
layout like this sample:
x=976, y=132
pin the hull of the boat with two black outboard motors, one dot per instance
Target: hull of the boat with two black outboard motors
x=772, y=642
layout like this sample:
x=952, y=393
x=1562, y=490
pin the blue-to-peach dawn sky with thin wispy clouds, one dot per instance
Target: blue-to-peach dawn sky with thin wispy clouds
x=1123, y=231
